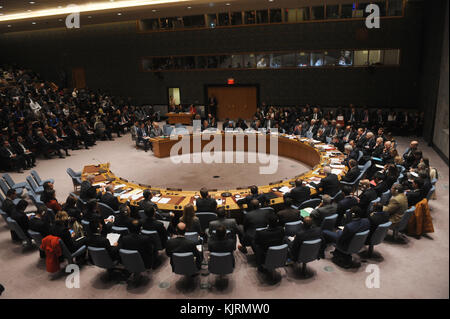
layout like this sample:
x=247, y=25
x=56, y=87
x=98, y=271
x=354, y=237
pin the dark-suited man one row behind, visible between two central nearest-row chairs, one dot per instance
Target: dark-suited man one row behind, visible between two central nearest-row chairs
x=255, y=218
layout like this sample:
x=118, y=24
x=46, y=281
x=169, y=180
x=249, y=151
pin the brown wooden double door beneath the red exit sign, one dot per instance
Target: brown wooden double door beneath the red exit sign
x=234, y=102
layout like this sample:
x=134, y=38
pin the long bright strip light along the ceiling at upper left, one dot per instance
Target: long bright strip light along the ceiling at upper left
x=97, y=6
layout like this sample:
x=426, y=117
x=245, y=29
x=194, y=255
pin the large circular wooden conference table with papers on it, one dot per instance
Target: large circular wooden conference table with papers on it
x=313, y=153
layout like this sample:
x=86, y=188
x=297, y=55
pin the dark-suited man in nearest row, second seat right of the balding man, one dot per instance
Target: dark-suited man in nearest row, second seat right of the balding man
x=272, y=236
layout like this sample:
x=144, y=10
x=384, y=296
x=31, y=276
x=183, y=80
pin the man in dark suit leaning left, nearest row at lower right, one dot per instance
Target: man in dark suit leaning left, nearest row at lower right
x=342, y=238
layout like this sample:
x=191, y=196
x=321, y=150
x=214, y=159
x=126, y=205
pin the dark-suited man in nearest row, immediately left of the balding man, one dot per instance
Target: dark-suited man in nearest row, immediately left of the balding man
x=143, y=244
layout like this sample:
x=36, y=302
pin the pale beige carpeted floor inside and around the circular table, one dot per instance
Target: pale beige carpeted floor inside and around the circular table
x=417, y=268
